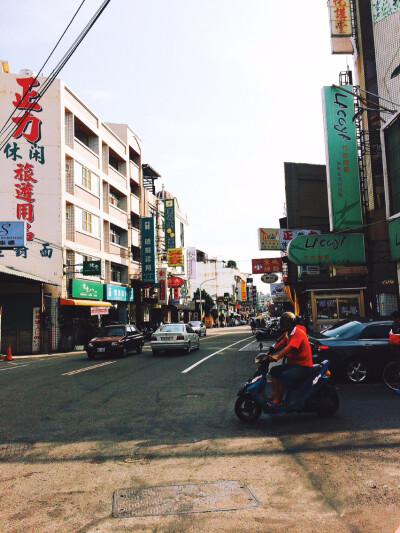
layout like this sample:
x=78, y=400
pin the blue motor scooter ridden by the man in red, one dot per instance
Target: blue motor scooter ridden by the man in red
x=313, y=394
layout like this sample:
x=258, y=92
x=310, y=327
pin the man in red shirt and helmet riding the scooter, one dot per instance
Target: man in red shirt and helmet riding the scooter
x=295, y=346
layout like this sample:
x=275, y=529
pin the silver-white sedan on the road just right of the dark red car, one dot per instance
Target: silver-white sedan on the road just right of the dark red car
x=174, y=337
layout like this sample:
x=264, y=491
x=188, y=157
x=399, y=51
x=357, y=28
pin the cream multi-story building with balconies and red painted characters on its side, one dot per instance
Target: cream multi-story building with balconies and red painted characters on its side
x=74, y=182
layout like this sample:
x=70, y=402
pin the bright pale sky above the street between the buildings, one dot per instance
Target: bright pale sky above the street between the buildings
x=221, y=92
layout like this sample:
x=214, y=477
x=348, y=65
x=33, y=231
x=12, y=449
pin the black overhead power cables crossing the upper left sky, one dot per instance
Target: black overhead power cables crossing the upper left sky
x=42, y=90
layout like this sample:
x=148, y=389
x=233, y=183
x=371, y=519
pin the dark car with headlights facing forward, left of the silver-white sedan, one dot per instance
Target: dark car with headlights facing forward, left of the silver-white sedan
x=116, y=339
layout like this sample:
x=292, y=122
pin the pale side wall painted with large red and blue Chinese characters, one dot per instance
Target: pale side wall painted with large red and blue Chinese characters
x=30, y=169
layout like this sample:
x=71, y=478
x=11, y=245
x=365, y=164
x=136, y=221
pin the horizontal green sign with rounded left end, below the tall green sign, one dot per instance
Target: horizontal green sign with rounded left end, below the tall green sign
x=331, y=249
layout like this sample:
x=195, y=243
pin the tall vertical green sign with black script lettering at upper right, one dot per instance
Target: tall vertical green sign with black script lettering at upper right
x=342, y=162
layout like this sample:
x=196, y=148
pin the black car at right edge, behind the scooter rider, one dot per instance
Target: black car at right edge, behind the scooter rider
x=357, y=350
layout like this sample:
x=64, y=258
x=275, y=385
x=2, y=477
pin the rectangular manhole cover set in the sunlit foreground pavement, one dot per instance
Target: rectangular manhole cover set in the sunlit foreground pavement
x=178, y=499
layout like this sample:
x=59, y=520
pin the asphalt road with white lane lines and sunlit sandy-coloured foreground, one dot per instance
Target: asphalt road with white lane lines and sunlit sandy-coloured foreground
x=73, y=431
